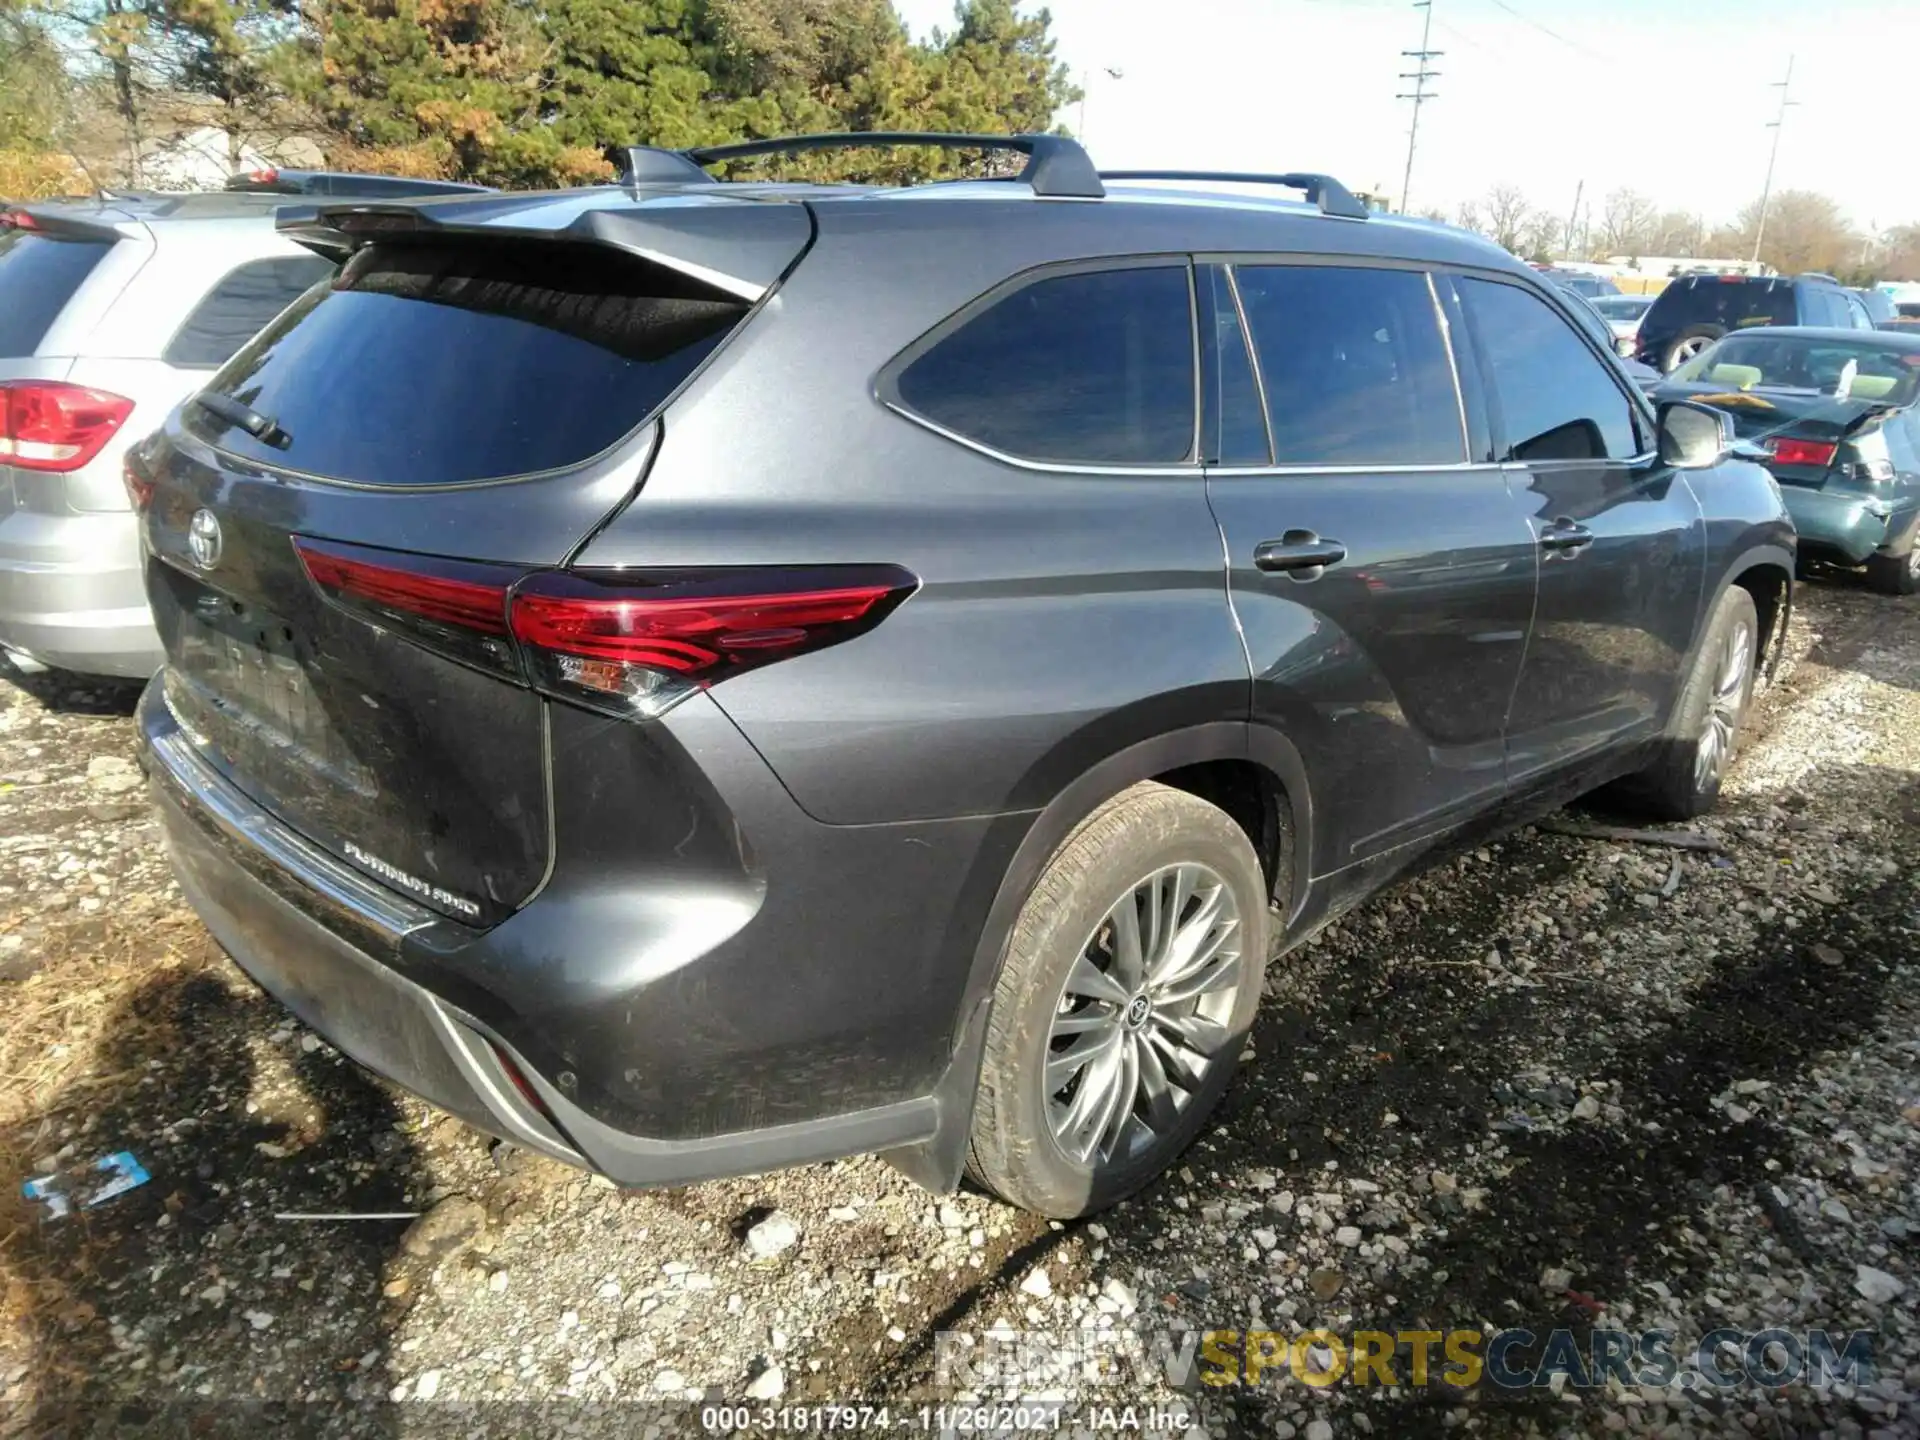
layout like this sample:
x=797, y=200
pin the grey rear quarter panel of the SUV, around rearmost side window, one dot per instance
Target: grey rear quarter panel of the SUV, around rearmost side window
x=1061, y=617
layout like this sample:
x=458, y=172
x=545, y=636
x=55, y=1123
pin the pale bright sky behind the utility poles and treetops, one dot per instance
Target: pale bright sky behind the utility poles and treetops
x=1668, y=97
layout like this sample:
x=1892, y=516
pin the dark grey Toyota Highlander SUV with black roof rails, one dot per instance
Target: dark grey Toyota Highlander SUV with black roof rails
x=702, y=677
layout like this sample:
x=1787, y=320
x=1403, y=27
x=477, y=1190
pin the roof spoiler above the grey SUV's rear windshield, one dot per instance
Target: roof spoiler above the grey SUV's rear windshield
x=736, y=251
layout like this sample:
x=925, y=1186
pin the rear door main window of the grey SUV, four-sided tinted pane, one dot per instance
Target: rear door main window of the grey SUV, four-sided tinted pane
x=1355, y=366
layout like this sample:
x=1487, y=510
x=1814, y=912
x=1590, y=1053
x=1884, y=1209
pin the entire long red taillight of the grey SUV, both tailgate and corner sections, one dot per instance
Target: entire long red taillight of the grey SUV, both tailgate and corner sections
x=625, y=642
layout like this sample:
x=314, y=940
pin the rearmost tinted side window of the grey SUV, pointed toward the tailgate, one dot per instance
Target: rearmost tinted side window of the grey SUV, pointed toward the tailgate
x=1092, y=368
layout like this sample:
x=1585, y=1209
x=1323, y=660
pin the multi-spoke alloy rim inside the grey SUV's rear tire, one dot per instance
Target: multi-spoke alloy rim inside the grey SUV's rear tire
x=1143, y=1017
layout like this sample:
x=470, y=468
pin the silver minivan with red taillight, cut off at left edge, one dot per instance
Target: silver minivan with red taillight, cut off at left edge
x=112, y=312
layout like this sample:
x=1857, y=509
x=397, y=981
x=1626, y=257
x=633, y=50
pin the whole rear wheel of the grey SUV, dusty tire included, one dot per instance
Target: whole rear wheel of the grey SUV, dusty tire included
x=1065, y=1140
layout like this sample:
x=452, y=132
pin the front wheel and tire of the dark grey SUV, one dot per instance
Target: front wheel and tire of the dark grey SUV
x=1704, y=734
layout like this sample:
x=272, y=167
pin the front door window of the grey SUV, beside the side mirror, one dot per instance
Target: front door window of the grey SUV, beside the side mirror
x=1558, y=402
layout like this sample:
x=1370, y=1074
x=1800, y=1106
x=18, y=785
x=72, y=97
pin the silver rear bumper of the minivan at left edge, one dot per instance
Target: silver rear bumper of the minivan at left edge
x=72, y=592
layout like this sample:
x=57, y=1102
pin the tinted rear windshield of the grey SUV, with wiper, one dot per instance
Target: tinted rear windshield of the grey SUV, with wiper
x=429, y=366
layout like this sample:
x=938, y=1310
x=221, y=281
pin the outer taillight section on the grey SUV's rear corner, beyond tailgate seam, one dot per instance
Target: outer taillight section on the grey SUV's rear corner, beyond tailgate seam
x=640, y=644
